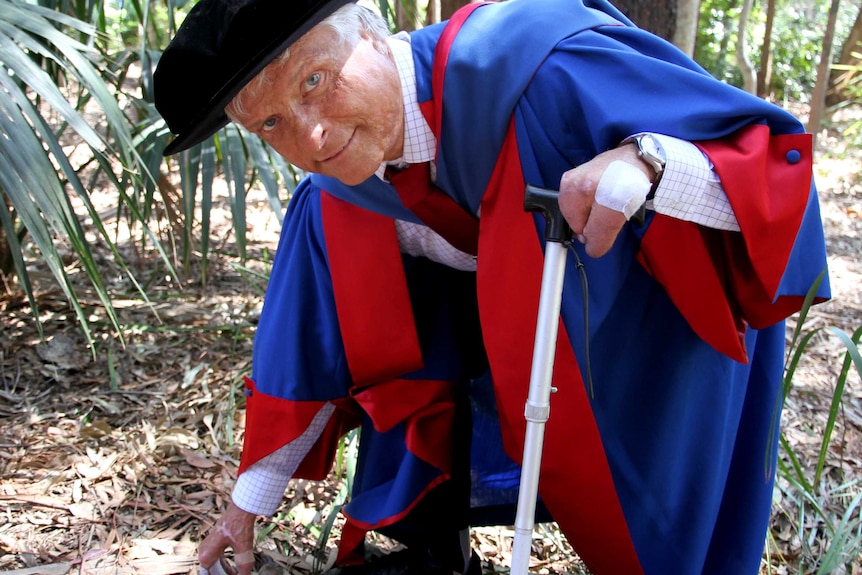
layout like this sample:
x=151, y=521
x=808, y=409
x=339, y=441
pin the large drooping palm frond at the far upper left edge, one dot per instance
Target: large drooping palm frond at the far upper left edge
x=35, y=174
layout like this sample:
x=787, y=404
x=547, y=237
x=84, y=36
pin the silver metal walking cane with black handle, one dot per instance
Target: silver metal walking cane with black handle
x=557, y=238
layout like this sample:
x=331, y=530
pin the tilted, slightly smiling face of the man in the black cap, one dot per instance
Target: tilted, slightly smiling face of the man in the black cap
x=331, y=108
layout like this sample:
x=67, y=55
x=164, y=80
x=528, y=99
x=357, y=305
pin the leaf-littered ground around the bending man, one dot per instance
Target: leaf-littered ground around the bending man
x=119, y=457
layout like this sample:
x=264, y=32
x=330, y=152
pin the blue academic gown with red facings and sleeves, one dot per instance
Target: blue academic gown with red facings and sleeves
x=668, y=466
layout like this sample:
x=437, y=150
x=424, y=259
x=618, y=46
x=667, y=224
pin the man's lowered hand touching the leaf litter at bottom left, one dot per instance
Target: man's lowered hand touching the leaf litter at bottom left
x=234, y=529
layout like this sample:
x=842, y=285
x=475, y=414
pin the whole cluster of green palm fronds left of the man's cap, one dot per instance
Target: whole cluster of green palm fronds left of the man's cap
x=54, y=67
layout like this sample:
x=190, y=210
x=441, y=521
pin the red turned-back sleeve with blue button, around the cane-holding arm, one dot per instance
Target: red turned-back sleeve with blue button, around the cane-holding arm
x=722, y=282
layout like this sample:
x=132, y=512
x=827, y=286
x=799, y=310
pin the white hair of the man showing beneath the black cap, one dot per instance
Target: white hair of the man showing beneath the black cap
x=350, y=23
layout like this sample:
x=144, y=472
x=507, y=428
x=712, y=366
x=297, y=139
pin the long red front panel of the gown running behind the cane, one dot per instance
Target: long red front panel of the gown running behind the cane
x=585, y=504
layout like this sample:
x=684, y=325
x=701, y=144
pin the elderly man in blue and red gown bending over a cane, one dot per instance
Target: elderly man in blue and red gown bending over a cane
x=404, y=293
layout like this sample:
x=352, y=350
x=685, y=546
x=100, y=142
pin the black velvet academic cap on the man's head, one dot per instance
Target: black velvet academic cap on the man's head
x=219, y=48
